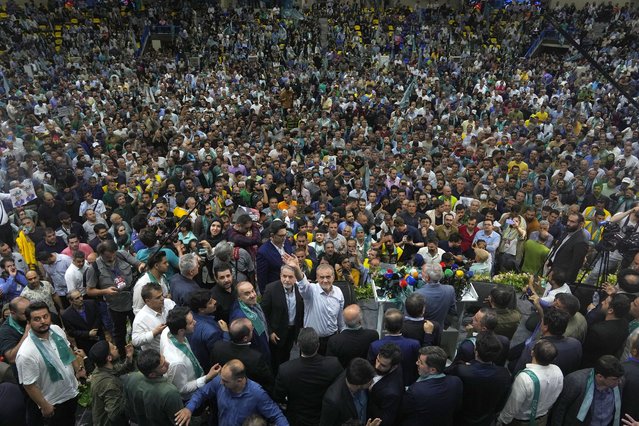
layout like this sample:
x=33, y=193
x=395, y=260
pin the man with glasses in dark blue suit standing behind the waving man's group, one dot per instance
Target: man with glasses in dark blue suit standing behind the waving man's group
x=269, y=255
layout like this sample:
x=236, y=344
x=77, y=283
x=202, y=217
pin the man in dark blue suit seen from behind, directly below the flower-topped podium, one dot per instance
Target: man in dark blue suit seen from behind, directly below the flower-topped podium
x=393, y=322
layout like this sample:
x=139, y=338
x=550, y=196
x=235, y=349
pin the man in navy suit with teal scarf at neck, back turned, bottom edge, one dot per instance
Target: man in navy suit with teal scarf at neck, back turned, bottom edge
x=434, y=398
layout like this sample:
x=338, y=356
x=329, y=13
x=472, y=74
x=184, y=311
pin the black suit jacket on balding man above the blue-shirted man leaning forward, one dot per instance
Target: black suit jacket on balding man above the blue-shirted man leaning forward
x=257, y=369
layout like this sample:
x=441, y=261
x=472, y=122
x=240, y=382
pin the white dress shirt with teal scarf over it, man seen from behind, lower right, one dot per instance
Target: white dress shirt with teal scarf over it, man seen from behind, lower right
x=551, y=381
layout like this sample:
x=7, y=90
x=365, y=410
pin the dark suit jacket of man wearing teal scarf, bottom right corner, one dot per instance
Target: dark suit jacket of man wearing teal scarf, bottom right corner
x=567, y=407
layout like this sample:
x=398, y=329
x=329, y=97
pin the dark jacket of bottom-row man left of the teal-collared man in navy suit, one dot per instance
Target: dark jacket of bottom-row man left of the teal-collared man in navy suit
x=385, y=398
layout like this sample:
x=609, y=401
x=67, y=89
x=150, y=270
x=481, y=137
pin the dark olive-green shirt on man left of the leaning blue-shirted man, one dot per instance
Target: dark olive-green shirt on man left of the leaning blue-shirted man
x=151, y=402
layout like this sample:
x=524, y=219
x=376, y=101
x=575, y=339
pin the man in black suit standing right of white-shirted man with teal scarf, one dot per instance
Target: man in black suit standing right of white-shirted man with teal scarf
x=82, y=321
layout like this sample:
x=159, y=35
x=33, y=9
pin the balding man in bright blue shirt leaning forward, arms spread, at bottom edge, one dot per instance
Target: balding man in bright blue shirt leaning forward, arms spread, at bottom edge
x=237, y=398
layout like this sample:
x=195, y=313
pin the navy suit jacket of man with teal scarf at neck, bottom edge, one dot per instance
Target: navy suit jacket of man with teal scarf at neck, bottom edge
x=432, y=402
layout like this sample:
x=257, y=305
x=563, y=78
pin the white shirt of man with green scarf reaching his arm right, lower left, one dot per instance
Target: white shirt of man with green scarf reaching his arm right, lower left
x=181, y=372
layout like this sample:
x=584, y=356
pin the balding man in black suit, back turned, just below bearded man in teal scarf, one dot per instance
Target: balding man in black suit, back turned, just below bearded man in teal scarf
x=241, y=333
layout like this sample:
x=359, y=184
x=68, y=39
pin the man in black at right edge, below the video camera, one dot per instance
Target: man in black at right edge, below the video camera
x=607, y=337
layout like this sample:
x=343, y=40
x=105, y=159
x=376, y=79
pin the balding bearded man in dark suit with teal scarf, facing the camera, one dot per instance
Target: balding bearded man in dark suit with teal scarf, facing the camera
x=246, y=306
